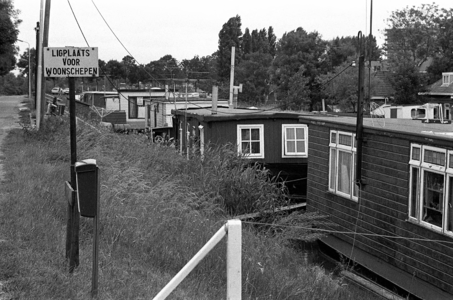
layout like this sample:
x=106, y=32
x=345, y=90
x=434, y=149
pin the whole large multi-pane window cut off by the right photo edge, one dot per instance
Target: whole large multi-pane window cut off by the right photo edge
x=431, y=188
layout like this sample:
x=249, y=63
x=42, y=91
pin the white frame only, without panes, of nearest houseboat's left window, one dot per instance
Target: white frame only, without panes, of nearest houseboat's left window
x=335, y=147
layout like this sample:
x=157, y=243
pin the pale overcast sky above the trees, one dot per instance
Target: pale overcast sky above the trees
x=152, y=29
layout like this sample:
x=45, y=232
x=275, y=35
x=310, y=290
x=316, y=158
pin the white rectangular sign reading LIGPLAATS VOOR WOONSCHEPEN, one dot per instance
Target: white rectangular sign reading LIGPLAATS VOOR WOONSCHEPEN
x=71, y=62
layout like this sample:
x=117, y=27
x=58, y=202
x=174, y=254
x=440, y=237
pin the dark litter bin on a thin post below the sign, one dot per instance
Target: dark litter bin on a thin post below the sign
x=87, y=187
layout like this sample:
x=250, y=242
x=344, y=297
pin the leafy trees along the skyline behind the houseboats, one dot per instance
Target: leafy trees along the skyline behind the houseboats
x=294, y=71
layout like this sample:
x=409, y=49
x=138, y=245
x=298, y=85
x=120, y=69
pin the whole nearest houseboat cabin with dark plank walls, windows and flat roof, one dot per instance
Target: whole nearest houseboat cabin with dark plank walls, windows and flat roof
x=399, y=222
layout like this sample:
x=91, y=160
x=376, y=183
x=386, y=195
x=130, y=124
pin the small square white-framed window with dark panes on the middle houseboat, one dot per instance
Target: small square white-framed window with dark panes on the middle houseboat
x=251, y=140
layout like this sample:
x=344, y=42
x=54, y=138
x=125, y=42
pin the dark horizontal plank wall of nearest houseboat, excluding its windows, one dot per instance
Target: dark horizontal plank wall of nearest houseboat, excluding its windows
x=383, y=204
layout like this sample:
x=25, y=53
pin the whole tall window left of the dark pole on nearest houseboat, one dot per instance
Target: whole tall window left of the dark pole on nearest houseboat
x=342, y=164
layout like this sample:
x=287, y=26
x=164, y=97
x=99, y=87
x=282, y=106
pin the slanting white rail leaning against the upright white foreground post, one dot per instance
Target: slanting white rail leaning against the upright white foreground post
x=191, y=264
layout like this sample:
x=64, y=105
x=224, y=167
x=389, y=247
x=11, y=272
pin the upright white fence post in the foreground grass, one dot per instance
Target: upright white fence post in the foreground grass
x=234, y=260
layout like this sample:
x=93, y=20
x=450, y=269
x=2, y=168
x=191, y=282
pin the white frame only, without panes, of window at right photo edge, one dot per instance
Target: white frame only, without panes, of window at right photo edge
x=423, y=167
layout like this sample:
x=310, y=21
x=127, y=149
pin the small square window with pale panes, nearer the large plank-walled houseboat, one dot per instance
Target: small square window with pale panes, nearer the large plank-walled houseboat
x=295, y=140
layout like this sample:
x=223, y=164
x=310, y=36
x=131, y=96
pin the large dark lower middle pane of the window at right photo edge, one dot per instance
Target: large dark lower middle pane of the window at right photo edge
x=433, y=198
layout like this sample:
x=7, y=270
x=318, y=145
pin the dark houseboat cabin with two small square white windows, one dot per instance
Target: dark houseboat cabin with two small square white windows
x=274, y=138
